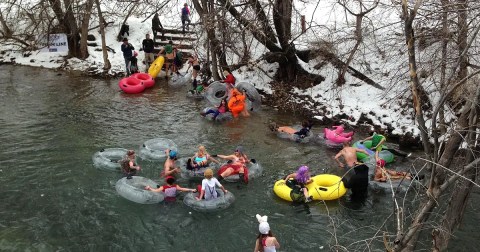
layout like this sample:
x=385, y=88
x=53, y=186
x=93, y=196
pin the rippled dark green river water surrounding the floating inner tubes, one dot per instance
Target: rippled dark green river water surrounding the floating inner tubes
x=53, y=199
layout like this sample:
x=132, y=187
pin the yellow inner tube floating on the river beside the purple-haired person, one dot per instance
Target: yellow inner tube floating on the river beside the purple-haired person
x=323, y=187
